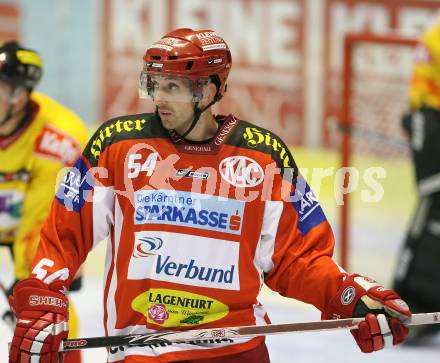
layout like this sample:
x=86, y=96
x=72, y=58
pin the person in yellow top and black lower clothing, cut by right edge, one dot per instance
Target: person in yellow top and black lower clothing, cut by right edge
x=418, y=275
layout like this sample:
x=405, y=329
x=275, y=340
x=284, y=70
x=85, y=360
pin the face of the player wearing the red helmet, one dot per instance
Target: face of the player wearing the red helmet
x=173, y=97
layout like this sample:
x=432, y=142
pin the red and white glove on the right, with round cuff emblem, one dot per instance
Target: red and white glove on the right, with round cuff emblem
x=383, y=309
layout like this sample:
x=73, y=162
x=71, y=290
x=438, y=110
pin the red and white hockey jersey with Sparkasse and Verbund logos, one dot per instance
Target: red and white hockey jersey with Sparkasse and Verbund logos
x=194, y=230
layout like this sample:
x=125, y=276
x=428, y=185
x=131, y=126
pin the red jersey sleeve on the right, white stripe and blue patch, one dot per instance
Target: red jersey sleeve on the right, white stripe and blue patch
x=297, y=243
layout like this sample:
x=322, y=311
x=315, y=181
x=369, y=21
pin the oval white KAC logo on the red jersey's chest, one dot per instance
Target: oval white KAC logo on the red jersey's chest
x=241, y=171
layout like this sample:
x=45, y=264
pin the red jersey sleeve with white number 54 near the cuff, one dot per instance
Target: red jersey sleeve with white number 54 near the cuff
x=81, y=216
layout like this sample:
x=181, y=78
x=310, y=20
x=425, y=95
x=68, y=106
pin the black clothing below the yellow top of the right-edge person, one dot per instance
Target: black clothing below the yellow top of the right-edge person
x=418, y=274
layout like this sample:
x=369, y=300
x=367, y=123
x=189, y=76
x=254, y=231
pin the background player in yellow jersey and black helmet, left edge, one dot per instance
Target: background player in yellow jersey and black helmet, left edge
x=38, y=137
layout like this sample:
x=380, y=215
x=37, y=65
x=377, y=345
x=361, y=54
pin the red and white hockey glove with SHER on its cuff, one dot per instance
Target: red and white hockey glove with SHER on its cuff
x=42, y=314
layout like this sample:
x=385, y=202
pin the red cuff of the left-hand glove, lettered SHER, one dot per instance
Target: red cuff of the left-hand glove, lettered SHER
x=33, y=295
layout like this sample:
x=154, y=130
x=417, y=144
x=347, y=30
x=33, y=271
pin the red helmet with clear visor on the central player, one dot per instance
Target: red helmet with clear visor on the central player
x=199, y=55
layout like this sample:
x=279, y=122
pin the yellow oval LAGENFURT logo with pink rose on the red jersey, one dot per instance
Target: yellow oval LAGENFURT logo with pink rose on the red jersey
x=170, y=308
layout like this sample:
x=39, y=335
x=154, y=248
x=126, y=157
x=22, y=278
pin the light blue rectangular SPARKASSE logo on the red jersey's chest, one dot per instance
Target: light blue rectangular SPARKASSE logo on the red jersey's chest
x=187, y=209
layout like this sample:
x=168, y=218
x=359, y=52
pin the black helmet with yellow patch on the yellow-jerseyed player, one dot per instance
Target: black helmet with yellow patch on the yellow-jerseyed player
x=19, y=66
